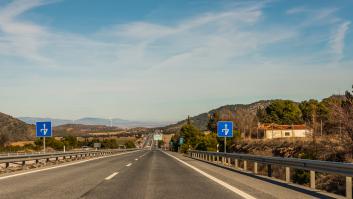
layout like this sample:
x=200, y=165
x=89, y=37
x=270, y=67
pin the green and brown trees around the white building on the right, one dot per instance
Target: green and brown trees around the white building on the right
x=333, y=115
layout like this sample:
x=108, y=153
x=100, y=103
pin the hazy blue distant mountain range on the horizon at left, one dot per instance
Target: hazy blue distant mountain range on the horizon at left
x=96, y=121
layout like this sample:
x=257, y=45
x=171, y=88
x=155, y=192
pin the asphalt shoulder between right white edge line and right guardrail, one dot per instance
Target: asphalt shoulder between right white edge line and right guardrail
x=258, y=186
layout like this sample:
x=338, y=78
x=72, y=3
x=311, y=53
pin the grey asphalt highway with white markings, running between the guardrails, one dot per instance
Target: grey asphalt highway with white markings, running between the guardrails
x=144, y=174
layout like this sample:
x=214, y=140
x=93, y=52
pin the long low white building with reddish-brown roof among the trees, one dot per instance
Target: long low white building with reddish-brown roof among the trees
x=272, y=131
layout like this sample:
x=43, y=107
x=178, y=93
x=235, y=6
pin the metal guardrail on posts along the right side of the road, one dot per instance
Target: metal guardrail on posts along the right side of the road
x=338, y=168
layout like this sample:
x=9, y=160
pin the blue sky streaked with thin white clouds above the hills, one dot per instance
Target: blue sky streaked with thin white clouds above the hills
x=161, y=60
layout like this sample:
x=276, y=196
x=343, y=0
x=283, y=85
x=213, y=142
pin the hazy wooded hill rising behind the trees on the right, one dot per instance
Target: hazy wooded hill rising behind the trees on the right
x=239, y=113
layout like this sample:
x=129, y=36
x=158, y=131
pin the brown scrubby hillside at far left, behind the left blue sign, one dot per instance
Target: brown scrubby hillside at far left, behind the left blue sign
x=12, y=129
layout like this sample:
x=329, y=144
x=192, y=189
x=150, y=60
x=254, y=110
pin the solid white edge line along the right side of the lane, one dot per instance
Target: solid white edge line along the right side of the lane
x=224, y=184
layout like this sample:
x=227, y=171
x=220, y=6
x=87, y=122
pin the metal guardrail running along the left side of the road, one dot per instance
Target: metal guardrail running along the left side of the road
x=47, y=156
